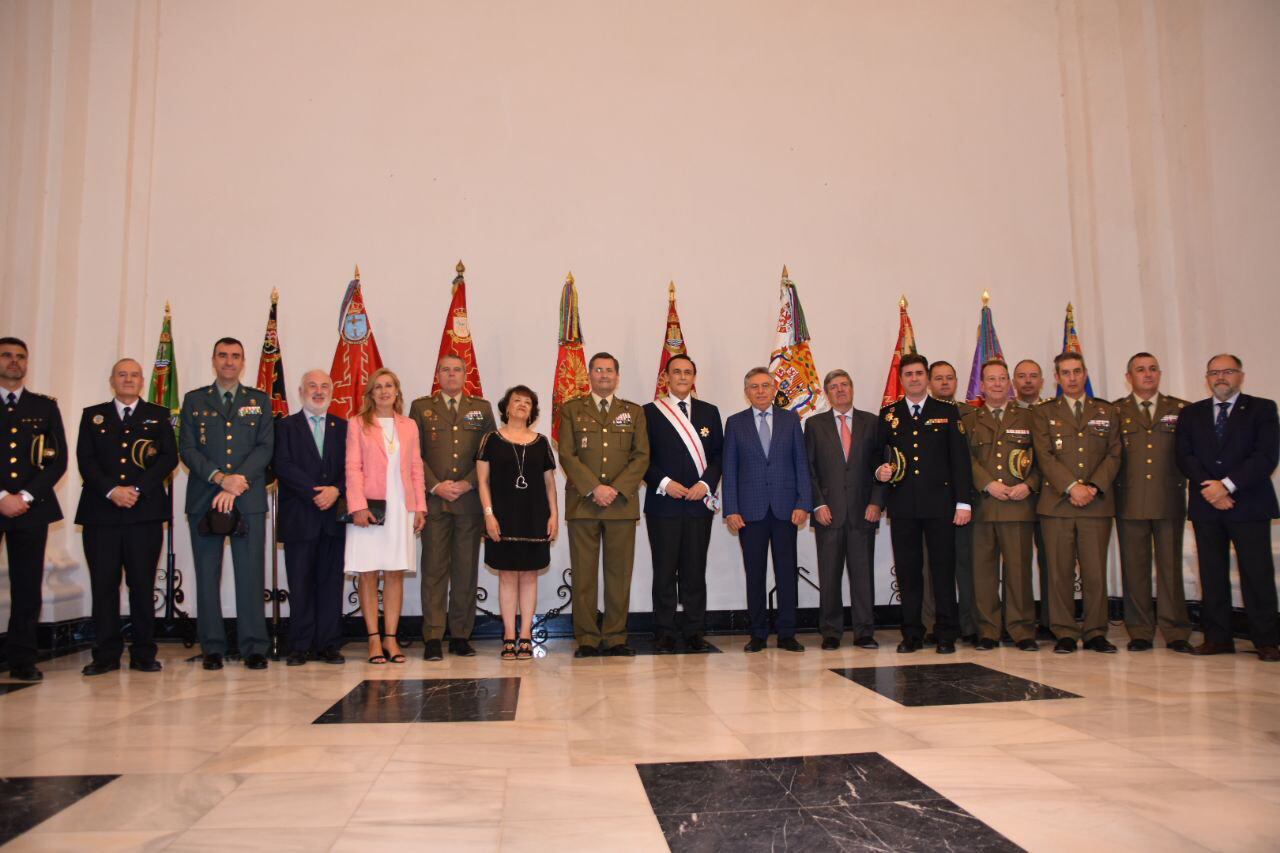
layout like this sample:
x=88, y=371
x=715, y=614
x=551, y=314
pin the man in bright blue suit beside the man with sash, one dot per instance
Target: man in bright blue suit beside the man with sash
x=769, y=496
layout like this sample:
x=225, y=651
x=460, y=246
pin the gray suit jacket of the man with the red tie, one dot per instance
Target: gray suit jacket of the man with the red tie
x=843, y=486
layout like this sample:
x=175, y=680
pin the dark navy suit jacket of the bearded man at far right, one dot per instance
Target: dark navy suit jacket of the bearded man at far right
x=1247, y=455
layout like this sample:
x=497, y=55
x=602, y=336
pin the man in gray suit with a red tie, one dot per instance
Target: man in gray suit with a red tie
x=840, y=446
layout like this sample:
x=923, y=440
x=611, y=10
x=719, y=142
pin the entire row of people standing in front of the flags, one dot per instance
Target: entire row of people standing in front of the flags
x=971, y=494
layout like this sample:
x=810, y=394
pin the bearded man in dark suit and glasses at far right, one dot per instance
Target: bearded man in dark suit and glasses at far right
x=1228, y=448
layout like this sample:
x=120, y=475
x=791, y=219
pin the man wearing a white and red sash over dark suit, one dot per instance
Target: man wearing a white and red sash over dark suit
x=687, y=440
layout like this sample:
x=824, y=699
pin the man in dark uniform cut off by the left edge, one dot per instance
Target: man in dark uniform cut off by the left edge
x=35, y=460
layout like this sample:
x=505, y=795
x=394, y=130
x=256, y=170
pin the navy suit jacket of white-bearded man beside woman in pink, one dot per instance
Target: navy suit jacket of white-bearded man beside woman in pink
x=299, y=469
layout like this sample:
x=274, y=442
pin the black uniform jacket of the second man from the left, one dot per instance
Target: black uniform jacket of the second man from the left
x=140, y=453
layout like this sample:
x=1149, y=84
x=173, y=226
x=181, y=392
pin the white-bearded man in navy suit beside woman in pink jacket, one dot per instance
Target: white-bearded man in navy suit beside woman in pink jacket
x=310, y=464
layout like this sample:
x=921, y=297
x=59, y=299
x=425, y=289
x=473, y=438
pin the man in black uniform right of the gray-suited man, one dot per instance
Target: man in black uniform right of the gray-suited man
x=926, y=463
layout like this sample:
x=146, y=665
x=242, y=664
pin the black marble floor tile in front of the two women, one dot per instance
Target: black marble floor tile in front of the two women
x=428, y=701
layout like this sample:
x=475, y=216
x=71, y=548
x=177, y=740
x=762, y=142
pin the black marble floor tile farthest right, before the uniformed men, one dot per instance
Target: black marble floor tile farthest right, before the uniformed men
x=930, y=685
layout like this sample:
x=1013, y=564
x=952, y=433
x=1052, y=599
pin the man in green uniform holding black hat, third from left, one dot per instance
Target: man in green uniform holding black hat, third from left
x=227, y=440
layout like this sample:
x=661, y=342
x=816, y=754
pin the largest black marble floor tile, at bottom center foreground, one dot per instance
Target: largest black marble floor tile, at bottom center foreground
x=854, y=802
